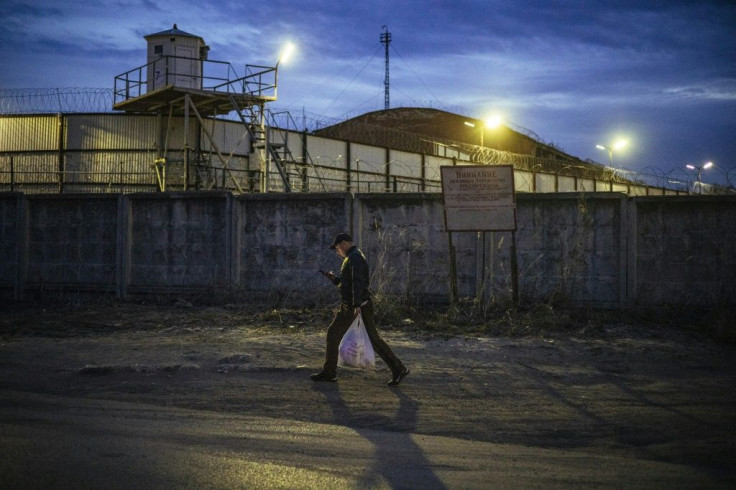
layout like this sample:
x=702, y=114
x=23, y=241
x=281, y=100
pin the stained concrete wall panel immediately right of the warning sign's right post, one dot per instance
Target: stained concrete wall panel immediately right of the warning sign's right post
x=569, y=247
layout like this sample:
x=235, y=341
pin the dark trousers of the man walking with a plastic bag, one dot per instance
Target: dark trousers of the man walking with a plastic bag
x=341, y=323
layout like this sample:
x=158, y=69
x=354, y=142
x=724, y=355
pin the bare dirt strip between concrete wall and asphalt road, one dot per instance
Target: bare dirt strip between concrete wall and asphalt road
x=648, y=394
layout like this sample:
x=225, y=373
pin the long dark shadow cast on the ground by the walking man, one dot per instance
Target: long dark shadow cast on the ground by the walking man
x=397, y=458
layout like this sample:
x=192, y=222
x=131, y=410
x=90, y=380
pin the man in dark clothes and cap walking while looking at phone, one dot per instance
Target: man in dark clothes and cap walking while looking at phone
x=353, y=283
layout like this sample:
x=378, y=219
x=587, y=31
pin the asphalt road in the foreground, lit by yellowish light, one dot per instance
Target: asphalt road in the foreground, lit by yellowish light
x=60, y=442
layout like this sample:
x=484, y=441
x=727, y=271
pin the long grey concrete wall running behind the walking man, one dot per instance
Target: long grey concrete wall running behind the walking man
x=599, y=249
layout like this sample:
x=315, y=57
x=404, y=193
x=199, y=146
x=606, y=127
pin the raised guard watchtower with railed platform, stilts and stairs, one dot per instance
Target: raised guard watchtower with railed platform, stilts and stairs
x=178, y=81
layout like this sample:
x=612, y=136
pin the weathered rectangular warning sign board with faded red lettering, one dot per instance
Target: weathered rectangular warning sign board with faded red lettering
x=479, y=197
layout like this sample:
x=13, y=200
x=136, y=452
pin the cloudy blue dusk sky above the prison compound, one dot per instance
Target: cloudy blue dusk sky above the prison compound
x=661, y=74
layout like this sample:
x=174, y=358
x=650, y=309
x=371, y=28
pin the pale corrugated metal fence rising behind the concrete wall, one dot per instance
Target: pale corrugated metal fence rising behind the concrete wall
x=110, y=152
